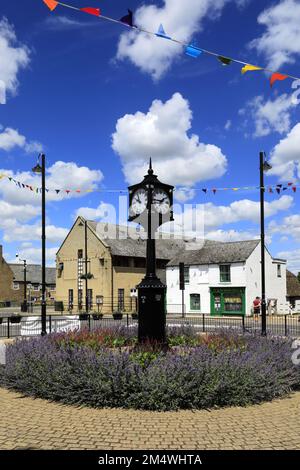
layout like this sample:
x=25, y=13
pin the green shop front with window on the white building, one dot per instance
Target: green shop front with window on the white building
x=227, y=301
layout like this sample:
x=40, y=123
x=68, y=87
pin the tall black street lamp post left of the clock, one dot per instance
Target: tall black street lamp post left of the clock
x=41, y=169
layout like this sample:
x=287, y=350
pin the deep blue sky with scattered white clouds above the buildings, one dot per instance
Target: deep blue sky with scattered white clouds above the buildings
x=100, y=102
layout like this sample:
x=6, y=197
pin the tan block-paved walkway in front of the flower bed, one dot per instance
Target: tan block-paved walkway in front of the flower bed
x=37, y=424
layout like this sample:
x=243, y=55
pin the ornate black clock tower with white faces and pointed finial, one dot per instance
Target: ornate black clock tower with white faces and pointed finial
x=150, y=204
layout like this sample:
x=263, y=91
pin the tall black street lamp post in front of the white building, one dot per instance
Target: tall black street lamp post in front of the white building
x=263, y=166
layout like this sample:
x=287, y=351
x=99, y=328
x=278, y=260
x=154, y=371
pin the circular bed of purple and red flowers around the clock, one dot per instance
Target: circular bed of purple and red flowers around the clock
x=106, y=368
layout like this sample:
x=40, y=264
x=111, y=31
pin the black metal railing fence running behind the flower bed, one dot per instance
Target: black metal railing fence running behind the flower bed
x=16, y=326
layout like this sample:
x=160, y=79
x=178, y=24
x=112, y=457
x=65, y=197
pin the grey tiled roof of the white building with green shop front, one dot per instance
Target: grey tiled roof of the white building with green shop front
x=216, y=253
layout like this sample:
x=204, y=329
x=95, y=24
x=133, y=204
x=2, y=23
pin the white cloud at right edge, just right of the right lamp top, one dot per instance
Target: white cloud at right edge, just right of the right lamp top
x=285, y=156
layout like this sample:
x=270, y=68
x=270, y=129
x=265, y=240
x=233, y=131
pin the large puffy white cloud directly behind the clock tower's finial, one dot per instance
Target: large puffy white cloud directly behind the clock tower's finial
x=162, y=133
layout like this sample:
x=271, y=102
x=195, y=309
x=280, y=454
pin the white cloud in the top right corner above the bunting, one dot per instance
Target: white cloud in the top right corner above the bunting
x=280, y=42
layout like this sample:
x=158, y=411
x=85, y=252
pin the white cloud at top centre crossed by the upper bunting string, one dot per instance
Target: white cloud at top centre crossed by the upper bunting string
x=180, y=20
